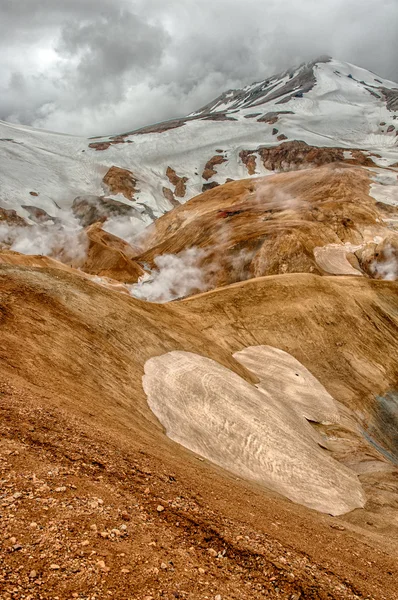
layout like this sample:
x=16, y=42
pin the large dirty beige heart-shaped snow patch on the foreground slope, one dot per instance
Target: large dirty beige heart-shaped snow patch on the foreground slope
x=257, y=434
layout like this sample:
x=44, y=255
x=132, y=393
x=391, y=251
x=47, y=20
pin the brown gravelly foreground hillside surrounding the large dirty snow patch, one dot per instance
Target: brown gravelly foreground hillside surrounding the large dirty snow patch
x=106, y=503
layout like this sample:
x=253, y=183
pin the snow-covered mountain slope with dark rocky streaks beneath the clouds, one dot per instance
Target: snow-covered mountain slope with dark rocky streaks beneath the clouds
x=323, y=103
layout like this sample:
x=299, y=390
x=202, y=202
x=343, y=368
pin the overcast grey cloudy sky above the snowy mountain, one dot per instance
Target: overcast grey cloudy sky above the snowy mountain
x=105, y=66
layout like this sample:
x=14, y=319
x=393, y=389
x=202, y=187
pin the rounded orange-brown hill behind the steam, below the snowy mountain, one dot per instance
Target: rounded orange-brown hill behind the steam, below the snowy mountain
x=273, y=225
